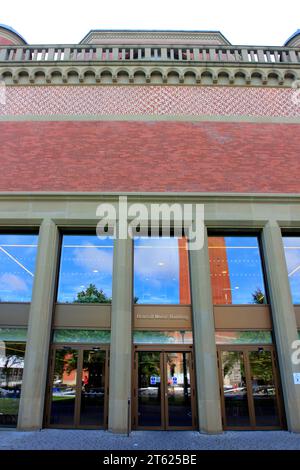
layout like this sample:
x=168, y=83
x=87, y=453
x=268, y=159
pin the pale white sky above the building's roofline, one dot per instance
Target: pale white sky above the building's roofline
x=258, y=22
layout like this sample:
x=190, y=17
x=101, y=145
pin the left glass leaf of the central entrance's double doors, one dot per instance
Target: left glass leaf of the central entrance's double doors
x=149, y=389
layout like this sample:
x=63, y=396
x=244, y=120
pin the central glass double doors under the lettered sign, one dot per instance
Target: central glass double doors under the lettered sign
x=164, y=390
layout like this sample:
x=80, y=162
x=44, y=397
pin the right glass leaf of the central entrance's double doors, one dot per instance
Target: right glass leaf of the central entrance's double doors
x=179, y=389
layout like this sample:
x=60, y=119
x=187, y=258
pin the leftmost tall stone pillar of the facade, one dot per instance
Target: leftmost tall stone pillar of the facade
x=35, y=374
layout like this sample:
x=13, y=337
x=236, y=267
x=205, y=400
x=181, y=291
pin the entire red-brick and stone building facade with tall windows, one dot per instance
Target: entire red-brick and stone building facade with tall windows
x=142, y=332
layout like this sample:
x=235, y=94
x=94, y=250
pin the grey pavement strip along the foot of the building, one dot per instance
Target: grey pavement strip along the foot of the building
x=57, y=439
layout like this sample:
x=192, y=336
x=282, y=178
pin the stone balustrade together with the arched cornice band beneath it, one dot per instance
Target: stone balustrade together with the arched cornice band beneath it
x=149, y=64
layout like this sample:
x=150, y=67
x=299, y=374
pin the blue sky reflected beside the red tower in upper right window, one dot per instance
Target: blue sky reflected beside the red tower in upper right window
x=244, y=268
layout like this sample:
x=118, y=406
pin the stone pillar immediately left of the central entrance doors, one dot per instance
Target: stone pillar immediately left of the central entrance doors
x=121, y=343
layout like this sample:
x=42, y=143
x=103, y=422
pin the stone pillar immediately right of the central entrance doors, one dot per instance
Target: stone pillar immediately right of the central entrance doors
x=208, y=391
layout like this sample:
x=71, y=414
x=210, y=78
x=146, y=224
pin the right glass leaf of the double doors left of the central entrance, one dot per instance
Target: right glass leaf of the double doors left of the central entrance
x=93, y=388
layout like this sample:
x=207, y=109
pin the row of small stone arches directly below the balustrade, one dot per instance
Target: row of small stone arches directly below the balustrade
x=143, y=74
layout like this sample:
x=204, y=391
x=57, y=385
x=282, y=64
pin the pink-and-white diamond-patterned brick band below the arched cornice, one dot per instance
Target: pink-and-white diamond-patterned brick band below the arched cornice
x=149, y=100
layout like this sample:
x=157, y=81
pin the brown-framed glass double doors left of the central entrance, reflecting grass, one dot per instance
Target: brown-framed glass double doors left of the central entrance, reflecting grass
x=78, y=387
